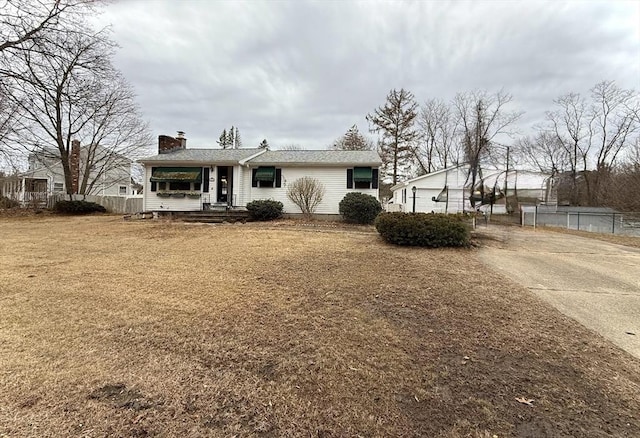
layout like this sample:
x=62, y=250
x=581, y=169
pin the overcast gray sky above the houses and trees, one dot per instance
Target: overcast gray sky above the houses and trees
x=297, y=72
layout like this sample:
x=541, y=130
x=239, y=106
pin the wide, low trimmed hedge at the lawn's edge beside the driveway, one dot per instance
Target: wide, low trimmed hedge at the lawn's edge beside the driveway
x=423, y=229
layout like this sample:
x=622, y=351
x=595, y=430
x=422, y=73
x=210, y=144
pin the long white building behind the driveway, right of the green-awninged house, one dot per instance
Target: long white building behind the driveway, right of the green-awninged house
x=448, y=190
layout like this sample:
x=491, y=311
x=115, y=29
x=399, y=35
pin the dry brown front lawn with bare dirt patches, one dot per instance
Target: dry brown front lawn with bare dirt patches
x=112, y=328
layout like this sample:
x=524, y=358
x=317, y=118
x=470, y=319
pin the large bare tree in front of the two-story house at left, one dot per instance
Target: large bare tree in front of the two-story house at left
x=66, y=88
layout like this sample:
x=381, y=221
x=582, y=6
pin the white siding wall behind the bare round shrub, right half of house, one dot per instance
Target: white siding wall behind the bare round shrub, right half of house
x=333, y=179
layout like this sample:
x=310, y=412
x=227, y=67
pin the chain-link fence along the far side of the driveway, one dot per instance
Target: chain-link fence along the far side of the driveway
x=597, y=221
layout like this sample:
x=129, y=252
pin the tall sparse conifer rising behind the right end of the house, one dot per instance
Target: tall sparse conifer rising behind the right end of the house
x=395, y=121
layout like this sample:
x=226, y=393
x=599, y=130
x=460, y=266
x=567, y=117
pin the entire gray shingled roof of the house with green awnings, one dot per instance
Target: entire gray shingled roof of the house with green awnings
x=292, y=158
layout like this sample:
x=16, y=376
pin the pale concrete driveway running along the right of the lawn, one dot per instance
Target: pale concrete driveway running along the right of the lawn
x=596, y=283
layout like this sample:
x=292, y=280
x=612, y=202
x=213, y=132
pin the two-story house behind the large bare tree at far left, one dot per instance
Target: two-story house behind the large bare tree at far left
x=45, y=176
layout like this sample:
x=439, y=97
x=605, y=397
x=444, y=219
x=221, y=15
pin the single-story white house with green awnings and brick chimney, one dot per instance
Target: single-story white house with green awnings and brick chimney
x=181, y=179
